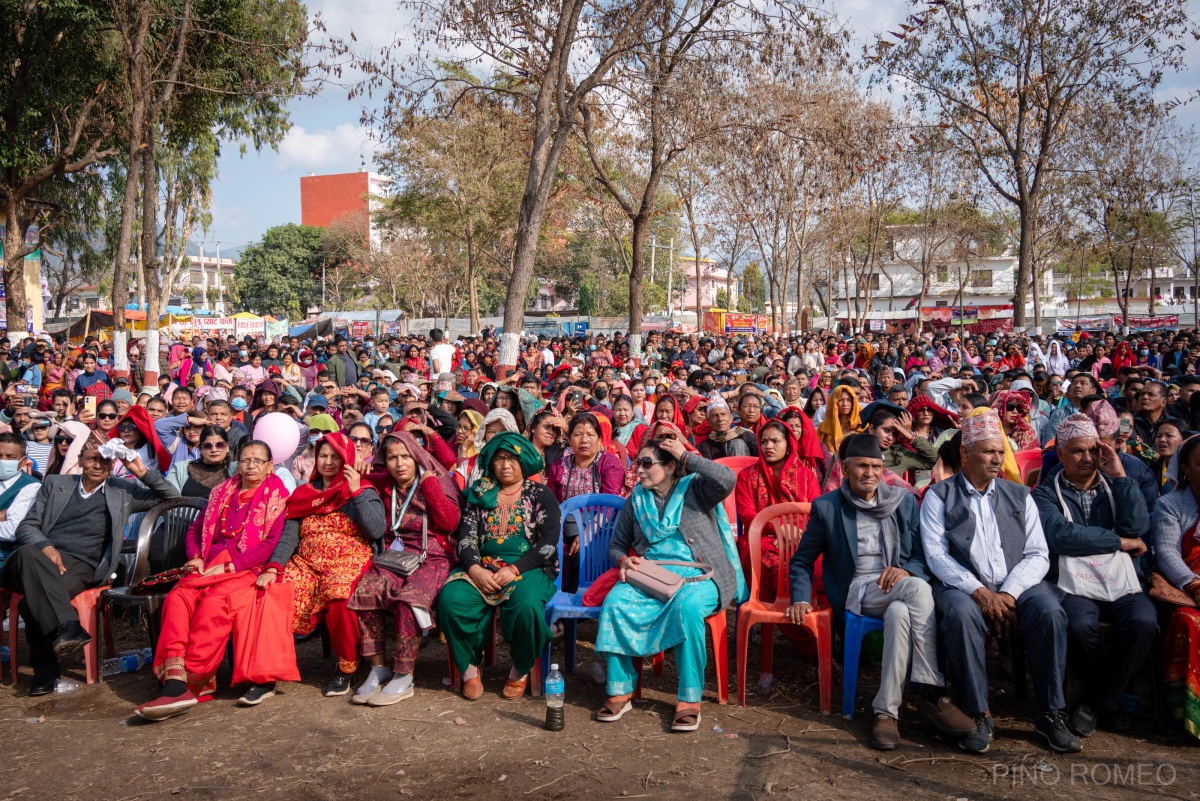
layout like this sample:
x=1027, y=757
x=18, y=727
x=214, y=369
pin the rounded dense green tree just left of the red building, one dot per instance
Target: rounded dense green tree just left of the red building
x=281, y=275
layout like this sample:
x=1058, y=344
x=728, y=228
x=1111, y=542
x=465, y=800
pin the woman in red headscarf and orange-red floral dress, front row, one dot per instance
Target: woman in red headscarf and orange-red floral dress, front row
x=332, y=523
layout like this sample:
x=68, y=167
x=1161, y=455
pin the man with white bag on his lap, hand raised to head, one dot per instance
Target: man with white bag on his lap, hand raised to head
x=1095, y=521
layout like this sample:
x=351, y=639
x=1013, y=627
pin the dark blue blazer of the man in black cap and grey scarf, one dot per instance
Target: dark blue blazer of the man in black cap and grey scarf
x=833, y=534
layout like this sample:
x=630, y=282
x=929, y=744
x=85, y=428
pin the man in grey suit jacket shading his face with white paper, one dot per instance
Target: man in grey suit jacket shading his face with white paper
x=70, y=541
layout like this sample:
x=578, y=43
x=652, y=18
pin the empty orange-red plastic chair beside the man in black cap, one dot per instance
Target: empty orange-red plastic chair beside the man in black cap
x=783, y=517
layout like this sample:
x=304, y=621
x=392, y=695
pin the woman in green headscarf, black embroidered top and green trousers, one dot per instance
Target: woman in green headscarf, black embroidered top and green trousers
x=508, y=555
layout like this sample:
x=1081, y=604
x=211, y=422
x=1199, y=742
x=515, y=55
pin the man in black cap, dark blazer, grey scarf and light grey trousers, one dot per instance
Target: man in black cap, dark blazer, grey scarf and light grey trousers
x=869, y=534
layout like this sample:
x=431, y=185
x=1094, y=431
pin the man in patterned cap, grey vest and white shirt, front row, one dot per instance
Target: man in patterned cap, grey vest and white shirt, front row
x=985, y=544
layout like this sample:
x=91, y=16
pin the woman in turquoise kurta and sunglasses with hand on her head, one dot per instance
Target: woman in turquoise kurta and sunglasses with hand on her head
x=675, y=514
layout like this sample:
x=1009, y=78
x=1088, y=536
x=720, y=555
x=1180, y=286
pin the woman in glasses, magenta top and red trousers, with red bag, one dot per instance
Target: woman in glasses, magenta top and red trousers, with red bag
x=227, y=549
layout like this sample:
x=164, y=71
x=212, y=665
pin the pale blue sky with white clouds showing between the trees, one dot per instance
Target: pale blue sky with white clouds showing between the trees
x=259, y=191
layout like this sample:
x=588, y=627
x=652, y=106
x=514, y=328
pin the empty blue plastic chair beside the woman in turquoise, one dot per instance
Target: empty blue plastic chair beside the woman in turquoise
x=596, y=519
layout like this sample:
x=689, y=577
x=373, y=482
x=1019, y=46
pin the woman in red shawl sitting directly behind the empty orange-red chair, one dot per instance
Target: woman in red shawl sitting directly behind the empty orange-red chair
x=781, y=478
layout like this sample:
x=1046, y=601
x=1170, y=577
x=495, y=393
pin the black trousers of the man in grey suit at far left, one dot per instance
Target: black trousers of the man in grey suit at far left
x=47, y=603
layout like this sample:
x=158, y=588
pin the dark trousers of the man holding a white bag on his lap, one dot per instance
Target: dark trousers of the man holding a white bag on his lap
x=1107, y=661
